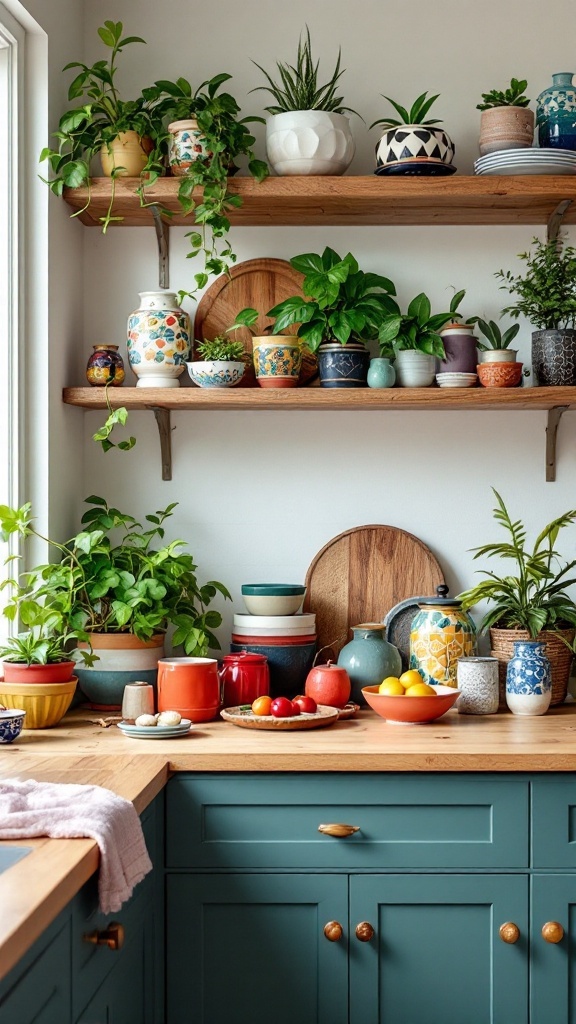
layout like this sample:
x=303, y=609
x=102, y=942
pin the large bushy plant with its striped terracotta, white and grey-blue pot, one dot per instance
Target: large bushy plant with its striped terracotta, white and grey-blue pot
x=125, y=590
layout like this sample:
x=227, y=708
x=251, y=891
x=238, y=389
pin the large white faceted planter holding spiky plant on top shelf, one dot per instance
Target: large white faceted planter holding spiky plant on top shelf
x=309, y=143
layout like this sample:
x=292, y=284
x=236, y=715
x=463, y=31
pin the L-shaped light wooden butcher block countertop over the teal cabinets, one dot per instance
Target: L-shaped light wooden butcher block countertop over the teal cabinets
x=39, y=886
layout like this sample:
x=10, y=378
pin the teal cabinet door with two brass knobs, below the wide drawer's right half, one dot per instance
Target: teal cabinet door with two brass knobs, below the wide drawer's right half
x=437, y=957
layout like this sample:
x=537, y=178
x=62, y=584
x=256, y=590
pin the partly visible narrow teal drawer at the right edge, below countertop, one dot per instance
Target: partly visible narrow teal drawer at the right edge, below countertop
x=554, y=822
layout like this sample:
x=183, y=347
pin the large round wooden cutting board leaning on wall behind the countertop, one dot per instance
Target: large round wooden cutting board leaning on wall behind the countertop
x=360, y=575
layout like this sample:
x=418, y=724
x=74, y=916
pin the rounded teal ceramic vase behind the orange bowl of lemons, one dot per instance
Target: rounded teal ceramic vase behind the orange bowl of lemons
x=368, y=659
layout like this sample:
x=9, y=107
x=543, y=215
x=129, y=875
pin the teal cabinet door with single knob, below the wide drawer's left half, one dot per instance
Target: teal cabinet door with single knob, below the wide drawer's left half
x=251, y=950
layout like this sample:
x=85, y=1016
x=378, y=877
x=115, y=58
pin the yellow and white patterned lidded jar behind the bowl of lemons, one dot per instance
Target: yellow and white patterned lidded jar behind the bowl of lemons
x=441, y=633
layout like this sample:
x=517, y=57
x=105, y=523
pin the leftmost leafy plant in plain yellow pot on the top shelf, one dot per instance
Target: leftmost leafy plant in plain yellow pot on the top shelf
x=129, y=136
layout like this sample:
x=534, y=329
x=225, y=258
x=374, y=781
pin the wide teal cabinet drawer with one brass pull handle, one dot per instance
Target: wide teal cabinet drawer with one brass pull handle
x=404, y=822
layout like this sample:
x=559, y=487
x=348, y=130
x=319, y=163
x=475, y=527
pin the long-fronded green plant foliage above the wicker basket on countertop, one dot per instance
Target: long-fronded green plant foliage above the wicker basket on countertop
x=534, y=598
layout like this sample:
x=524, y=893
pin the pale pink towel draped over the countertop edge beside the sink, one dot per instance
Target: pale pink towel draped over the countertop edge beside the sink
x=64, y=812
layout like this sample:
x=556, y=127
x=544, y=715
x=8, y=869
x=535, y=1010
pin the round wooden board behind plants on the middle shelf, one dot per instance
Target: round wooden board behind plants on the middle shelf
x=259, y=284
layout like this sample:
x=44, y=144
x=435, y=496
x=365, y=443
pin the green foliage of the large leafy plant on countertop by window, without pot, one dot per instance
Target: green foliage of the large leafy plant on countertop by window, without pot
x=118, y=576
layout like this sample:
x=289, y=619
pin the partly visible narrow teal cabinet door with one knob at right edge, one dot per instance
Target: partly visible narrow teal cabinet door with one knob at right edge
x=554, y=965
